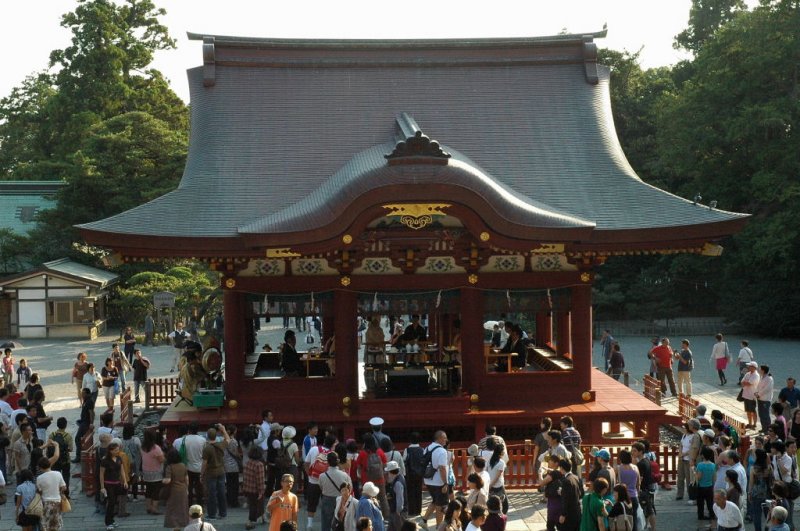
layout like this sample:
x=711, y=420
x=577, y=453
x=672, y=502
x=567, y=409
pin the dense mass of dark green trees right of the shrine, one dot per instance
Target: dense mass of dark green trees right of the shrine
x=723, y=125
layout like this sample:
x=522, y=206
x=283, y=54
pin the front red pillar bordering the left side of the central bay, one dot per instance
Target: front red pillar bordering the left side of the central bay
x=344, y=329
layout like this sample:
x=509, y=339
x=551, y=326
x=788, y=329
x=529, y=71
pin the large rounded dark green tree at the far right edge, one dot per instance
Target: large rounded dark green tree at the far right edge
x=730, y=133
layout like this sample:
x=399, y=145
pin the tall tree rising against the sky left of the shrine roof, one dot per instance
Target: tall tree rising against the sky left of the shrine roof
x=104, y=73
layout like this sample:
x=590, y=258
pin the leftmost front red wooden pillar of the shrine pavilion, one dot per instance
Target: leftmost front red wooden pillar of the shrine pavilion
x=235, y=331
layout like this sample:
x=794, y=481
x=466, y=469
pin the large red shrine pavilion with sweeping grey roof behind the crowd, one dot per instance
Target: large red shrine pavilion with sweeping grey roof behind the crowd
x=466, y=181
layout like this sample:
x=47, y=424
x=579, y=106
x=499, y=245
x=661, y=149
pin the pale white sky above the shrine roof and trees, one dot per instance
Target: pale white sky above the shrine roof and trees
x=29, y=29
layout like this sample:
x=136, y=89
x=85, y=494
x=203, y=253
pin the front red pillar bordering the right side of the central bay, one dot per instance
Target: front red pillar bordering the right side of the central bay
x=473, y=364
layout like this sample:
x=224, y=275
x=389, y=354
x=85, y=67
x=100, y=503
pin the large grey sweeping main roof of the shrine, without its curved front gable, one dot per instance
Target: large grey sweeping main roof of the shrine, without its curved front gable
x=278, y=119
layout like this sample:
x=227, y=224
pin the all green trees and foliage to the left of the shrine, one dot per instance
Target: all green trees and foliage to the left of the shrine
x=109, y=125
